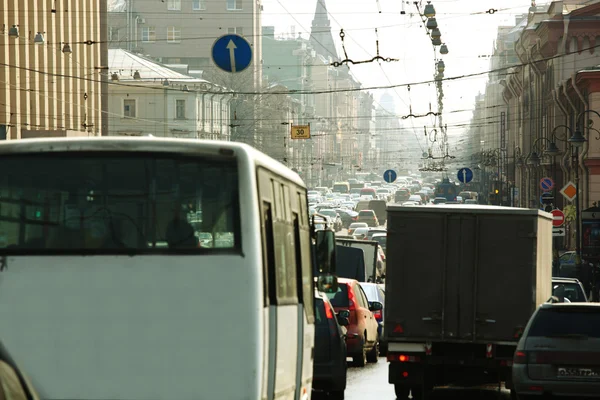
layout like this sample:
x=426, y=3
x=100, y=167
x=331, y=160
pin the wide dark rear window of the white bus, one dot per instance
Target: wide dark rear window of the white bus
x=92, y=202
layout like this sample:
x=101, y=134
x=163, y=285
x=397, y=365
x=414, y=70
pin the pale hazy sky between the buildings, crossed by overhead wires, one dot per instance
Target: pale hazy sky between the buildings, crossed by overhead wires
x=468, y=31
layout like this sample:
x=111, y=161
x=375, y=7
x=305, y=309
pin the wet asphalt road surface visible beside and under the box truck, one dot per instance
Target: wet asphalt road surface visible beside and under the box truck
x=371, y=383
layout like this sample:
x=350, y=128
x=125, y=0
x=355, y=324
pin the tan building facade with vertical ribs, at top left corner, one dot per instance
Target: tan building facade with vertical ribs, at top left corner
x=53, y=81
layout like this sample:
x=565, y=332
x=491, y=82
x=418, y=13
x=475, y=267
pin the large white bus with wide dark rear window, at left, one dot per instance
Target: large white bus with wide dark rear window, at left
x=138, y=268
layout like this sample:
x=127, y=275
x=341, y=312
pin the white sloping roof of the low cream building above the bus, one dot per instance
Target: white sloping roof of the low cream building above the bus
x=125, y=65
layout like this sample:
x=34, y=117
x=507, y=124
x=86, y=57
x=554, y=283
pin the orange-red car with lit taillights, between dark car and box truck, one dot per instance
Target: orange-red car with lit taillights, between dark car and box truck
x=362, y=340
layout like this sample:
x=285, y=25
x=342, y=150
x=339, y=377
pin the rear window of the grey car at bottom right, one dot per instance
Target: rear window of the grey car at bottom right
x=565, y=321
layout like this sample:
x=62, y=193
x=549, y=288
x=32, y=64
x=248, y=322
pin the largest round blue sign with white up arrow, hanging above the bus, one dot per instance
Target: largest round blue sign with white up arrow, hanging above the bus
x=232, y=53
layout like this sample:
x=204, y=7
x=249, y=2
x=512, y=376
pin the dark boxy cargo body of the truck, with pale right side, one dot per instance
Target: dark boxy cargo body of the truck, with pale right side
x=465, y=273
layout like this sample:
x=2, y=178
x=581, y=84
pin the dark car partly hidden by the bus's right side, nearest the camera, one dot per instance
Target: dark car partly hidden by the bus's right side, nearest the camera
x=329, y=365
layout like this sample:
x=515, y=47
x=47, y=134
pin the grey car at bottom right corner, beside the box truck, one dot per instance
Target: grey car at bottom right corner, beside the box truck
x=559, y=353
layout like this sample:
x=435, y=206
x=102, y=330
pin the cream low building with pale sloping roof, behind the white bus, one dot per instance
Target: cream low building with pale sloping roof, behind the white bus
x=147, y=98
